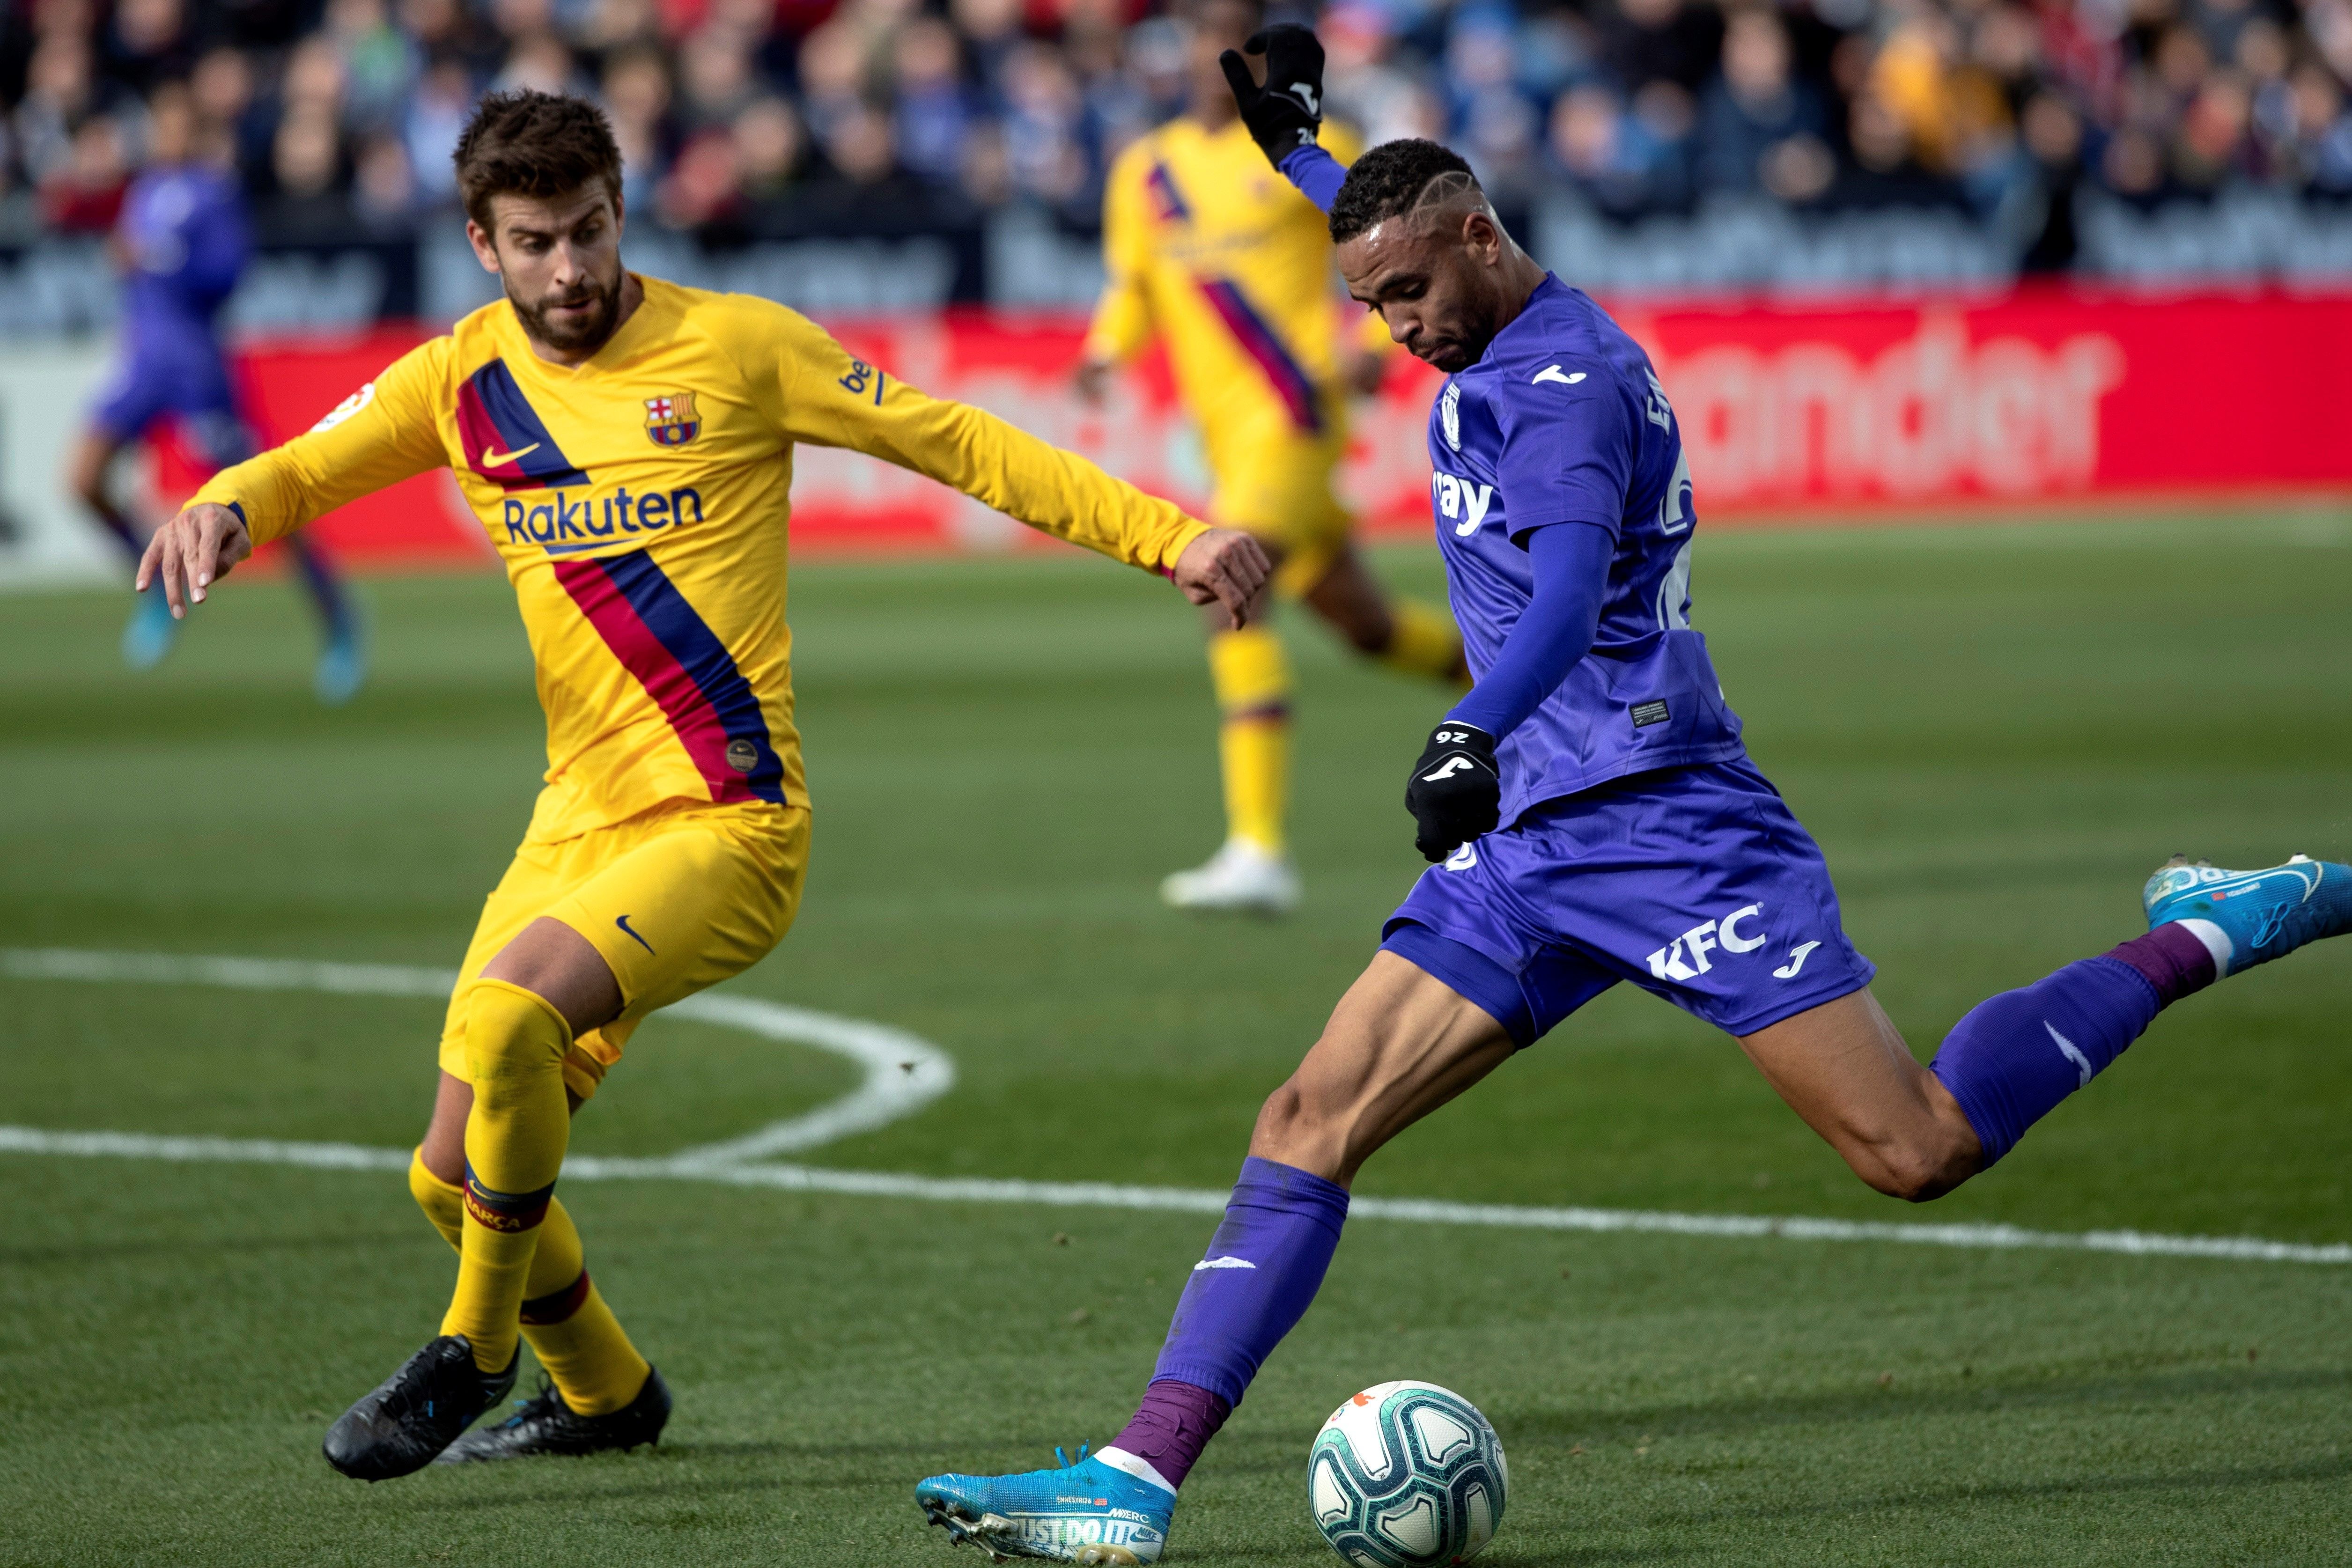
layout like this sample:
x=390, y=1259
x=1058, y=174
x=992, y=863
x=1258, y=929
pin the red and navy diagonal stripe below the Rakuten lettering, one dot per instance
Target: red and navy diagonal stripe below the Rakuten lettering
x=683, y=666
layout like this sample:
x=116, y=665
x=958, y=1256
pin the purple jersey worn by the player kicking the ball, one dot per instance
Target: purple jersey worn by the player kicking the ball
x=1565, y=422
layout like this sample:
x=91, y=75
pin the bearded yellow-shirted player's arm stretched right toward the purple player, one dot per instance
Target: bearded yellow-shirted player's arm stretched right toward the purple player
x=831, y=398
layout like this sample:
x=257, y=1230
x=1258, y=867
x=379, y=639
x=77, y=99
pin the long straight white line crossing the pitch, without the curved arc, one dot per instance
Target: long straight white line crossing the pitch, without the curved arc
x=1196, y=1200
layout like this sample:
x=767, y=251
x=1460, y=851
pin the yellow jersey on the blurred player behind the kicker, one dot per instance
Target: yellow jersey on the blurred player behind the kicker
x=1212, y=250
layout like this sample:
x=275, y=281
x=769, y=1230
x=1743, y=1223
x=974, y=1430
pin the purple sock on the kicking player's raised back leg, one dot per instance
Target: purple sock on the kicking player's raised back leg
x=2014, y=1057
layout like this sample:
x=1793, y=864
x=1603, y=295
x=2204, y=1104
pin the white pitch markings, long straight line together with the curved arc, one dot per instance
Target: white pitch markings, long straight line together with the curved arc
x=895, y=1057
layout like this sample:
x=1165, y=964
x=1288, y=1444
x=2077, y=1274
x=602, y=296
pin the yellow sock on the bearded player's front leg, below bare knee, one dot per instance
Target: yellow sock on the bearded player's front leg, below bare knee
x=514, y=1153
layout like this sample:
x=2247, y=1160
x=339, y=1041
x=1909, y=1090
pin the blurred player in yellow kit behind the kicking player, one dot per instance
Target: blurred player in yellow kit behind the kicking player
x=1220, y=257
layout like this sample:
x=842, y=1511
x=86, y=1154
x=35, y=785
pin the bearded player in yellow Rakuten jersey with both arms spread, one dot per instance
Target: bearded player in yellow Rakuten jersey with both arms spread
x=629, y=450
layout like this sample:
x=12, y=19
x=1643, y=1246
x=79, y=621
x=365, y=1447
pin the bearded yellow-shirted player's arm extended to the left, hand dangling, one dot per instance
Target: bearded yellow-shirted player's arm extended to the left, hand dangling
x=380, y=436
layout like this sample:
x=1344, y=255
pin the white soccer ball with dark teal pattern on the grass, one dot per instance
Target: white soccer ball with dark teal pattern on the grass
x=1408, y=1475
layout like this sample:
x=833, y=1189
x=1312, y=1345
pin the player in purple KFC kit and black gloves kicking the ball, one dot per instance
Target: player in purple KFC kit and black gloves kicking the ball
x=1593, y=819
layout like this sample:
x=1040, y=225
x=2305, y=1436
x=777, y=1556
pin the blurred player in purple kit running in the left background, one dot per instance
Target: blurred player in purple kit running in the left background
x=182, y=243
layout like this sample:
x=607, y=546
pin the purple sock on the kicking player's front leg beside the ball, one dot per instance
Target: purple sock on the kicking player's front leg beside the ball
x=1264, y=1268
